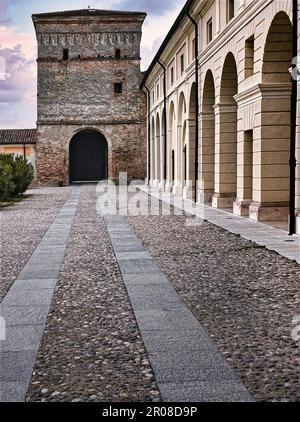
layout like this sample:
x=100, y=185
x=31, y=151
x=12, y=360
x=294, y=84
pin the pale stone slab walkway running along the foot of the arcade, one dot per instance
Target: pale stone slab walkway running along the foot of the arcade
x=271, y=238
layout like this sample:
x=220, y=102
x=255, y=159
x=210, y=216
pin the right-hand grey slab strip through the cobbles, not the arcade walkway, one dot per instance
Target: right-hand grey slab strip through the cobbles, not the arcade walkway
x=187, y=364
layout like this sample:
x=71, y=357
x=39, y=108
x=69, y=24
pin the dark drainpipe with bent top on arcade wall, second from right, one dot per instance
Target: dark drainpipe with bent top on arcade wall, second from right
x=197, y=100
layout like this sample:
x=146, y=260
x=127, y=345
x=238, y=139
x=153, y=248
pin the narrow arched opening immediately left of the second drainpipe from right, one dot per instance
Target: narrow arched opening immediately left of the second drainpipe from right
x=179, y=172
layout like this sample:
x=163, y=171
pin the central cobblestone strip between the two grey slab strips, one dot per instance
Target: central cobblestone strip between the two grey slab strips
x=91, y=349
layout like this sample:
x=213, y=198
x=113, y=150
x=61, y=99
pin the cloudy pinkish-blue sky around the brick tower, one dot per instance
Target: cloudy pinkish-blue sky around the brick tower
x=18, y=50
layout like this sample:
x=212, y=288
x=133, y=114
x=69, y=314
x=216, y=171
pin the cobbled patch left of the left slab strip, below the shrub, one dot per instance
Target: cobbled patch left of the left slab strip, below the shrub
x=22, y=226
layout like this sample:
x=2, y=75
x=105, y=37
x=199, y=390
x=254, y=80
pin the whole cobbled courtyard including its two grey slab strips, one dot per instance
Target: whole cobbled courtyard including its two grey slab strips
x=144, y=308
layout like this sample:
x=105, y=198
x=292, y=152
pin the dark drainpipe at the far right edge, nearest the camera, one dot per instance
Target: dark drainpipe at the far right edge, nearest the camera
x=293, y=161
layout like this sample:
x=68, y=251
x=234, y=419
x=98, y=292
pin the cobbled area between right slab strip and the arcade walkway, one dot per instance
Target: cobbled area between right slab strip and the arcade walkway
x=244, y=295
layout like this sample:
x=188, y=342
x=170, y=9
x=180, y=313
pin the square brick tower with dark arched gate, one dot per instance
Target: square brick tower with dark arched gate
x=91, y=110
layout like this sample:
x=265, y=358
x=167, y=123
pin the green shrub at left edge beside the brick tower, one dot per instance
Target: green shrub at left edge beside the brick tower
x=16, y=174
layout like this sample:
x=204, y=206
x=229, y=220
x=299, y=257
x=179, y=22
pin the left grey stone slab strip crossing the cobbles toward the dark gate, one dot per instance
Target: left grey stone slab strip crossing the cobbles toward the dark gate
x=26, y=306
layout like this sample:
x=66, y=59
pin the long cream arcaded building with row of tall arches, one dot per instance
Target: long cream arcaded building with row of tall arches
x=225, y=121
